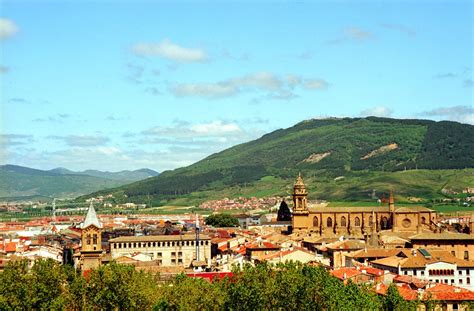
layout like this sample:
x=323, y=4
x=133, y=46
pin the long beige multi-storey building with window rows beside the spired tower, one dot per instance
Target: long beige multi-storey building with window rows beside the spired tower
x=166, y=250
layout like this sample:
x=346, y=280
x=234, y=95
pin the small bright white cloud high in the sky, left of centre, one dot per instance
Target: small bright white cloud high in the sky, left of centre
x=171, y=51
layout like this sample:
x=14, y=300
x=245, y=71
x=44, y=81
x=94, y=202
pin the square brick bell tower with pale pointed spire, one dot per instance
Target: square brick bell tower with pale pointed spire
x=91, y=239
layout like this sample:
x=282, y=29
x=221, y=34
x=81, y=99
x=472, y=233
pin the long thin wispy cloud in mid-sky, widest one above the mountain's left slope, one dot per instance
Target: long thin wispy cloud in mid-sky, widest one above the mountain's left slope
x=276, y=87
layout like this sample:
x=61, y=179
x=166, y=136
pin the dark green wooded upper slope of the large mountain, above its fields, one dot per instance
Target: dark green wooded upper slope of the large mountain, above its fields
x=330, y=147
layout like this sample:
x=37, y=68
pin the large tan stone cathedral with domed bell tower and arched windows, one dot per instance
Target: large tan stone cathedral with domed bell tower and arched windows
x=356, y=221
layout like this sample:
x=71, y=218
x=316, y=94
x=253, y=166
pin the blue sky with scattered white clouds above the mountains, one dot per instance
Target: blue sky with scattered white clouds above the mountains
x=115, y=85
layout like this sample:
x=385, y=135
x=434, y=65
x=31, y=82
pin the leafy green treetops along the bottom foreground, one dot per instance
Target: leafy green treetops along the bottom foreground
x=50, y=286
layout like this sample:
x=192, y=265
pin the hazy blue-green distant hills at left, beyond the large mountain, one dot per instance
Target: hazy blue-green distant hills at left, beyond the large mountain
x=17, y=182
